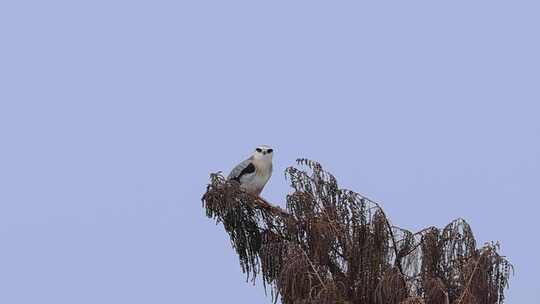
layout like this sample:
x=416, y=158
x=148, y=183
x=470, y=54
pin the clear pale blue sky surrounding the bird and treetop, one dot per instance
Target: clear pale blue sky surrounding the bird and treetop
x=113, y=113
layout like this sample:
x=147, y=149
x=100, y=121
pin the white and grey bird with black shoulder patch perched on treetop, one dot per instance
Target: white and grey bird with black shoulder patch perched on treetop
x=254, y=172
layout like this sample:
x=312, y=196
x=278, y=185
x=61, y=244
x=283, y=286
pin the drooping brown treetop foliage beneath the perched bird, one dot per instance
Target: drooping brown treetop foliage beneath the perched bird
x=333, y=245
